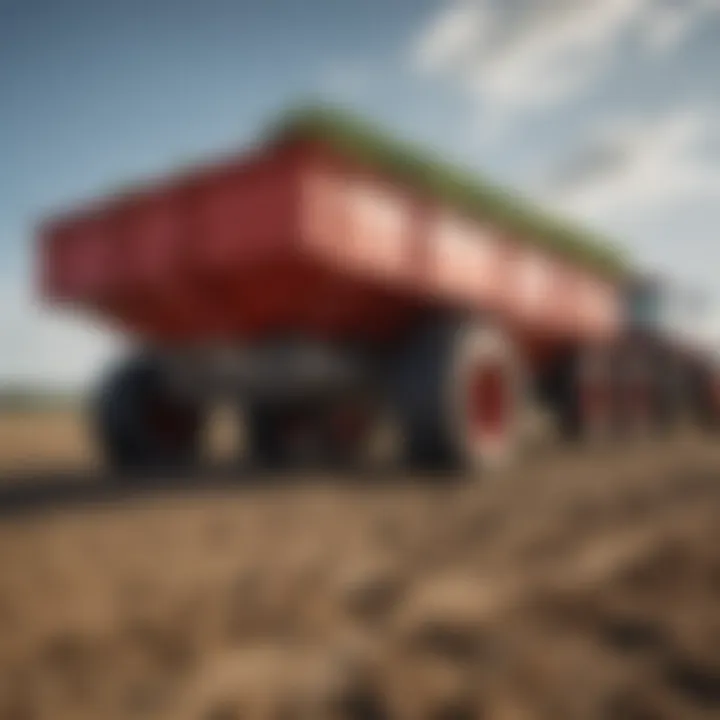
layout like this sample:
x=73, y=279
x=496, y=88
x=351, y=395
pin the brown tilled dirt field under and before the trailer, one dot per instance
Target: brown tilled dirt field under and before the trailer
x=576, y=586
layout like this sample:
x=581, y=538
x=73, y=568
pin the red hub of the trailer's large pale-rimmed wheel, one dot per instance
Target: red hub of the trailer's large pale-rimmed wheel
x=488, y=401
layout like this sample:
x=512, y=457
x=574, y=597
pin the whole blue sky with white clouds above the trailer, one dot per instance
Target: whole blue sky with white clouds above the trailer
x=607, y=111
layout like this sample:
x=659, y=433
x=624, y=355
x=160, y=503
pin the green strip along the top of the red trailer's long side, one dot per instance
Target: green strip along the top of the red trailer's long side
x=364, y=141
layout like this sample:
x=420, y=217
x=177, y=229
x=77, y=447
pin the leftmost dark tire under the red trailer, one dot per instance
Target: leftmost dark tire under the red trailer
x=141, y=425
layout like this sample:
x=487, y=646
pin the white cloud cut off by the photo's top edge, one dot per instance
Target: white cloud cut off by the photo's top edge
x=520, y=55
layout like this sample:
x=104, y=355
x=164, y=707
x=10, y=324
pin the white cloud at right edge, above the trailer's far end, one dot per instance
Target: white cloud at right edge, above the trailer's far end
x=638, y=164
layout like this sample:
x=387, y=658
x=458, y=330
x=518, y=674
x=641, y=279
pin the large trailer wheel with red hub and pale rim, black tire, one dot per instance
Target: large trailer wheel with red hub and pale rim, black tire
x=458, y=390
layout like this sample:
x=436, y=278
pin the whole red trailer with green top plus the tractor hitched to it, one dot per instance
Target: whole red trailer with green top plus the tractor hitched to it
x=334, y=282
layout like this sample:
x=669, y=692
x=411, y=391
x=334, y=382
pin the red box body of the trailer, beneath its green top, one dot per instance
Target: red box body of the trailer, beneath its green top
x=297, y=238
